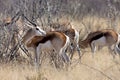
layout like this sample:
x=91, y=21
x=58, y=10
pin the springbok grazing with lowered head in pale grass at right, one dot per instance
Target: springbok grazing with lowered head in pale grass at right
x=101, y=38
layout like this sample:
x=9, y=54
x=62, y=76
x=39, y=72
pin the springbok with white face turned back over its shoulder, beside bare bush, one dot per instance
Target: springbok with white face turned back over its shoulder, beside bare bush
x=46, y=41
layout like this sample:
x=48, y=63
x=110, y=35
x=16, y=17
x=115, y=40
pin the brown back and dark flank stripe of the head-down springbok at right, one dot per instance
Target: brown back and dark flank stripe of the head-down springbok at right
x=98, y=34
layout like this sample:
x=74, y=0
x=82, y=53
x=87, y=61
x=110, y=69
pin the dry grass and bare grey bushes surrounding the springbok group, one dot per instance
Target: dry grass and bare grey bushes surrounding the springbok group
x=85, y=15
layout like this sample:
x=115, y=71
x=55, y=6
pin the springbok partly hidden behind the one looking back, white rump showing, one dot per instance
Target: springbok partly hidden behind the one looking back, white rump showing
x=72, y=33
